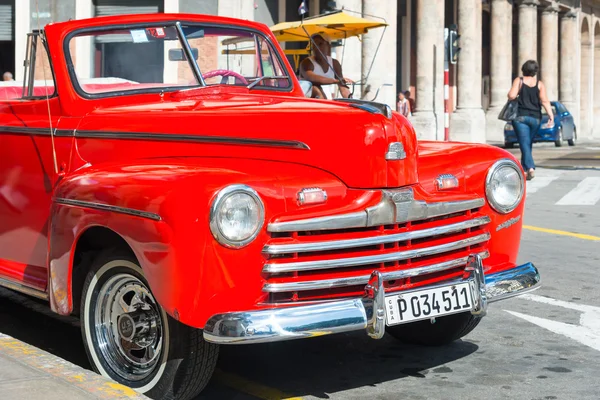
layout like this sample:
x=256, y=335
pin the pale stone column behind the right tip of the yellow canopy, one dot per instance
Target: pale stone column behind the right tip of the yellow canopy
x=381, y=62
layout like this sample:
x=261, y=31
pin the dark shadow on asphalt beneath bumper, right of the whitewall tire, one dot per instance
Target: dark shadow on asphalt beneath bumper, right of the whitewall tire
x=336, y=363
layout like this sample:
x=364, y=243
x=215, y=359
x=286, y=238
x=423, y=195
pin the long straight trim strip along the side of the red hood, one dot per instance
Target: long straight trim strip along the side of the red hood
x=191, y=138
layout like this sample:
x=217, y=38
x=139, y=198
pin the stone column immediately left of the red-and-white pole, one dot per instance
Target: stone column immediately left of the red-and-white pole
x=428, y=118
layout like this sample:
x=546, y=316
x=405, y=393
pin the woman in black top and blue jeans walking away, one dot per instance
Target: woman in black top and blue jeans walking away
x=532, y=96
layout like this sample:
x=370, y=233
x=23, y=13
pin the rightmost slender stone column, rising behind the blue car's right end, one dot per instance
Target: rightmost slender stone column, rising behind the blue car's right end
x=568, y=56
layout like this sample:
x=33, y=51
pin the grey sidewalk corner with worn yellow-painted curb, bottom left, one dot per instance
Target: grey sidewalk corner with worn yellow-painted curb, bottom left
x=29, y=373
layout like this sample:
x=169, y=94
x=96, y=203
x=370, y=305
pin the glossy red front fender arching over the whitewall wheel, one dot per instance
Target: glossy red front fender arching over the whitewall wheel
x=161, y=209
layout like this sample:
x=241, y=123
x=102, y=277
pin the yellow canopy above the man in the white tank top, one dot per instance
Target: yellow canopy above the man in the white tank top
x=338, y=25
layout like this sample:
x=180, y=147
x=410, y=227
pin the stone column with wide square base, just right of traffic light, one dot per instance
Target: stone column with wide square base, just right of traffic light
x=467, y=124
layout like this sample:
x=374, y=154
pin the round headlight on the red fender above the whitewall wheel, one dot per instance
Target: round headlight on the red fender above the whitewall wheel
x=236, y=216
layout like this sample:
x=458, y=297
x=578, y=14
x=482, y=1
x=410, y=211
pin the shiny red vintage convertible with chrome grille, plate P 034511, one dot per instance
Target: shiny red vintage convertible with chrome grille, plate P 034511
x=166, y=180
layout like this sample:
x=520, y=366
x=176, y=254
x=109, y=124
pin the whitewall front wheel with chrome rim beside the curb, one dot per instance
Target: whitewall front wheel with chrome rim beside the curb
x=130, y=339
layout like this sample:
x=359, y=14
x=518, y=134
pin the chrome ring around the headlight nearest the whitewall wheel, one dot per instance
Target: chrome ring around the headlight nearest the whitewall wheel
x=215, y=228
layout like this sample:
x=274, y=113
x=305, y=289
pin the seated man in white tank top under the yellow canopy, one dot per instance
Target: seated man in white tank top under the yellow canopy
x=317, y=69
